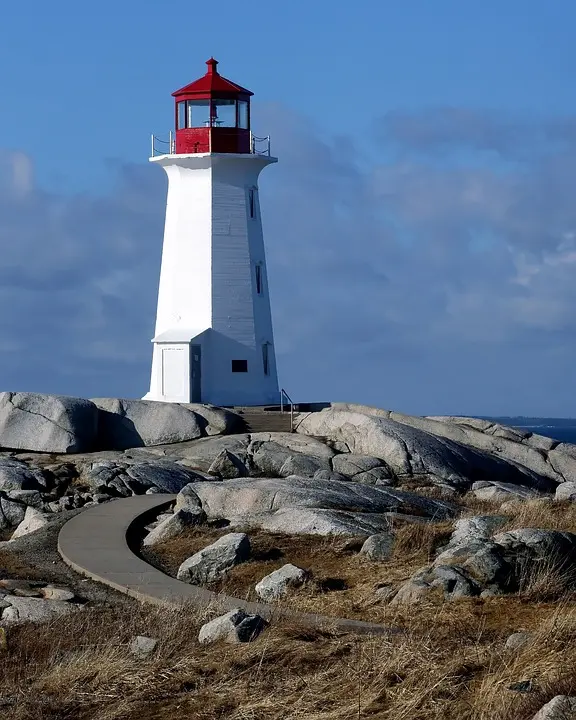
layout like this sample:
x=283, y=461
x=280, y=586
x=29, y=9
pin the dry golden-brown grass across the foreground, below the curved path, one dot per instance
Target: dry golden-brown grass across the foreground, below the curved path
x=451, y=665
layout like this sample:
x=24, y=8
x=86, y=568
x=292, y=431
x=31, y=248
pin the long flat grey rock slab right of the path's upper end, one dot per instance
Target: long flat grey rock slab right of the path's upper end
x=305, y=505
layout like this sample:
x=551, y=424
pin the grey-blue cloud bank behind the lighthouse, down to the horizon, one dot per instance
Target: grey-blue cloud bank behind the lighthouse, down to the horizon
x=432, y=273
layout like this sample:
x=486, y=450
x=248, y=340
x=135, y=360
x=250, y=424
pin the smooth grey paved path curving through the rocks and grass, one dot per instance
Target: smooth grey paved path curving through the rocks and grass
x=95, y=544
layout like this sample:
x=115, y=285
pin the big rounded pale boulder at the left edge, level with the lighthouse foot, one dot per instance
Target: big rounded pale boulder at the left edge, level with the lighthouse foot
x=47, y=423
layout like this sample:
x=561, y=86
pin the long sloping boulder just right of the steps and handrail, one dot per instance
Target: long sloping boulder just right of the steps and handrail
x=410, y=451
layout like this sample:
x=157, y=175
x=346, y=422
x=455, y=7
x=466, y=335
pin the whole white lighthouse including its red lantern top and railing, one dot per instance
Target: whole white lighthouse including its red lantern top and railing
x=213, y=341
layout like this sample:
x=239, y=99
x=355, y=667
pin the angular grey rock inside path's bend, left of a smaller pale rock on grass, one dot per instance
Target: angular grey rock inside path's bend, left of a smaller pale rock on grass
x=214, y=561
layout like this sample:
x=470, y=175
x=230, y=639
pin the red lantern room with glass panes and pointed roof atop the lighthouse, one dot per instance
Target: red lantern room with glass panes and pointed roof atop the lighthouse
x=212, y=115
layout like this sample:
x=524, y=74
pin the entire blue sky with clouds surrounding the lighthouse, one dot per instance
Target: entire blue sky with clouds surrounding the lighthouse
x=420, y=224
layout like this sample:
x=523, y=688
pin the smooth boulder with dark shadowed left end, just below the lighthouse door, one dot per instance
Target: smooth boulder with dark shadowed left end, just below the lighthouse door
x=125, y=424
